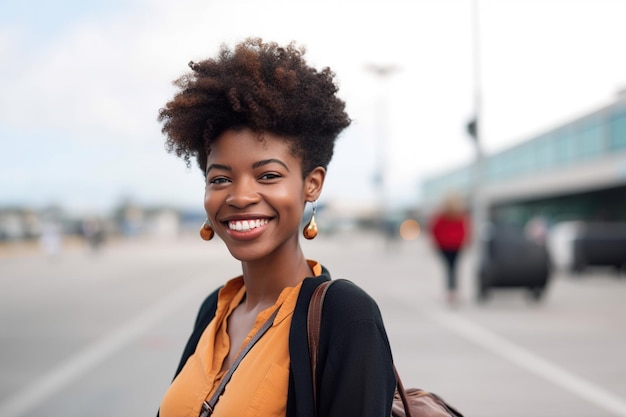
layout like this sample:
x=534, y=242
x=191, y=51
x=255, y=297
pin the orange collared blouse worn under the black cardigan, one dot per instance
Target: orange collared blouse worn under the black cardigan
x=259, y=386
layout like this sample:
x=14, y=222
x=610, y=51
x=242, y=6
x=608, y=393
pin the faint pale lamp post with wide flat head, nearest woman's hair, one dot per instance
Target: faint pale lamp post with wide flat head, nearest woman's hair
x=382, y=73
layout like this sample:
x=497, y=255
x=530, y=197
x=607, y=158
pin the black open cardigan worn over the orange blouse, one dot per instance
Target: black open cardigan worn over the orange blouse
x=355, y=367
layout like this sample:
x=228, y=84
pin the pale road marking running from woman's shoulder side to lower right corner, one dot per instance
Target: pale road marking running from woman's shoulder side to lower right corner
x=531, y=362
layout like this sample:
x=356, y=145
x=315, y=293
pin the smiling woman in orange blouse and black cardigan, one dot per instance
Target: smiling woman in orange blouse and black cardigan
x=262, y=124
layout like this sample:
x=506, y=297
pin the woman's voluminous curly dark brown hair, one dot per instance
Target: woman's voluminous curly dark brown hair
x=261, y=86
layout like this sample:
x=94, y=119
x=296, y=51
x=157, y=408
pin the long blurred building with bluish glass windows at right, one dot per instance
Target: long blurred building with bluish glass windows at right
x=576, y=171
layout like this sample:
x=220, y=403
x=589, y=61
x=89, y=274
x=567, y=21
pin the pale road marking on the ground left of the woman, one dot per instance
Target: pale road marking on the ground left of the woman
x=67, y=372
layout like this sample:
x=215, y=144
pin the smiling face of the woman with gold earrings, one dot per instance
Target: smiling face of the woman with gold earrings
x=255, y=194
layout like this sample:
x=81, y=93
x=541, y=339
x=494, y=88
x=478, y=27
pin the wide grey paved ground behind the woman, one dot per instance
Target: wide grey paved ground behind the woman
x=100, y=334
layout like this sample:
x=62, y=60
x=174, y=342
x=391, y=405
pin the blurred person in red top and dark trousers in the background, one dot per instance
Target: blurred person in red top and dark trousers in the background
x=450, y=230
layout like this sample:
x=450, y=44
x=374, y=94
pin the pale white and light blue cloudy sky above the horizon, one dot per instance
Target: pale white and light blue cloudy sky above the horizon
x=81, y=84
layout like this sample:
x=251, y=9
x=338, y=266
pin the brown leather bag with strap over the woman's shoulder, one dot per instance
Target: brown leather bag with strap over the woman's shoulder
x=412, y=402
